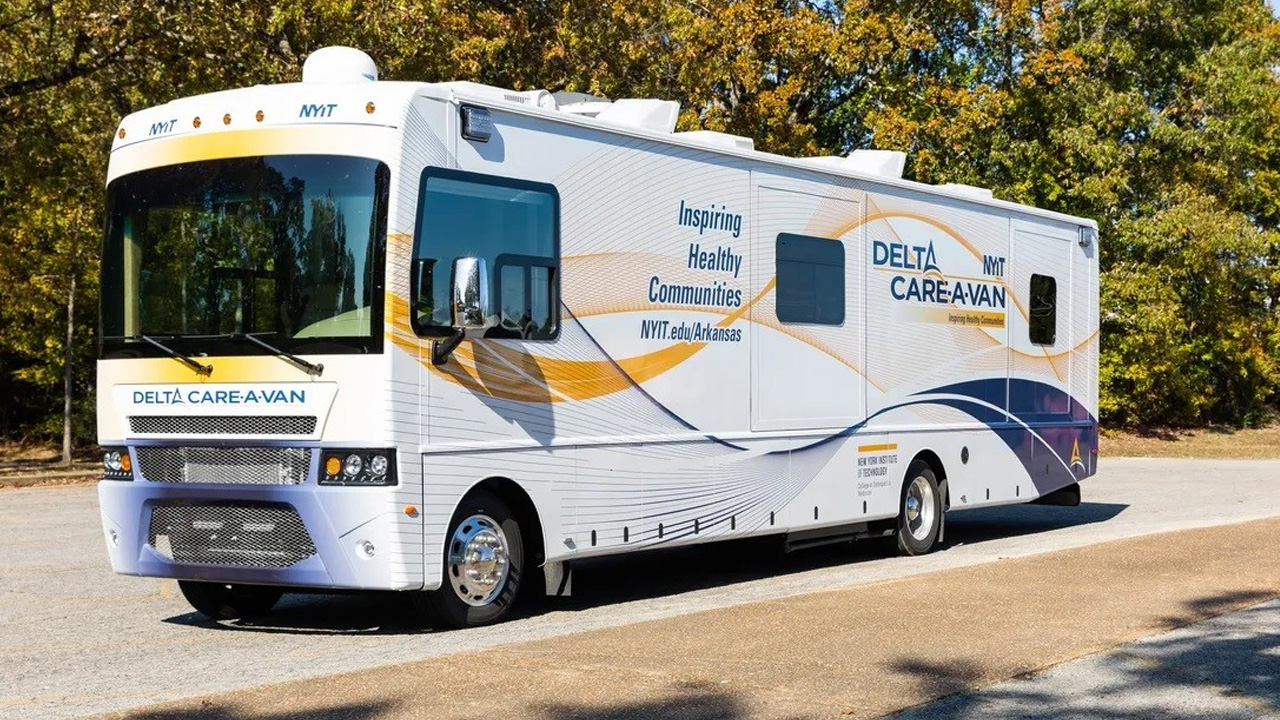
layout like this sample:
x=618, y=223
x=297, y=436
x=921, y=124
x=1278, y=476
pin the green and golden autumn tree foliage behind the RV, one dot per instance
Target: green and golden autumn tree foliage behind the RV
x=1159, y=119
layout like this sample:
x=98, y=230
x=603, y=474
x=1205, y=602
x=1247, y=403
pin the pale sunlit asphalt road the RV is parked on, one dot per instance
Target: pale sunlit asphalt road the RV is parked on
x=77, y=640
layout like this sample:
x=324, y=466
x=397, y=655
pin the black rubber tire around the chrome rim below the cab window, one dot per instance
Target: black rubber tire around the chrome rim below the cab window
x=446, y=607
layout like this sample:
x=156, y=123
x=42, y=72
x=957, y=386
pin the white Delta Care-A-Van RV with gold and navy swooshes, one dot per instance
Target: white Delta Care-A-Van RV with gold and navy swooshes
x=449, y=339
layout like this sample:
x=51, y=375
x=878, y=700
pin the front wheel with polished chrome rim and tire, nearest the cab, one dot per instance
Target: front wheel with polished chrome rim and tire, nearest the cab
x=484, y=562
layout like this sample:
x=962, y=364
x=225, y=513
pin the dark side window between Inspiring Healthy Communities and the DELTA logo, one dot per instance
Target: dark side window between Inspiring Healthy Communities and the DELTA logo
x=811, y=280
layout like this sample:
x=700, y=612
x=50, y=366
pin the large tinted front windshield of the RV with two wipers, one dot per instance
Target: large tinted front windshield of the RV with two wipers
x=286, y=248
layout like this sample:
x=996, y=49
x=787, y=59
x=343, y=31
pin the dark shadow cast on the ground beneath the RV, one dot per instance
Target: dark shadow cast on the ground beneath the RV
x=660, y=573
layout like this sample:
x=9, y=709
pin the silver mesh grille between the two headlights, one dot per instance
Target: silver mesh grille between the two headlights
x=225, y=466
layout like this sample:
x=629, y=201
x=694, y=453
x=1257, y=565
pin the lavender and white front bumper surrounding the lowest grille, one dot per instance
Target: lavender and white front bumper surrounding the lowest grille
x=340, y=522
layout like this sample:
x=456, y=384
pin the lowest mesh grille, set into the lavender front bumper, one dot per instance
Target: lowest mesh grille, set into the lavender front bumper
x=243, y=536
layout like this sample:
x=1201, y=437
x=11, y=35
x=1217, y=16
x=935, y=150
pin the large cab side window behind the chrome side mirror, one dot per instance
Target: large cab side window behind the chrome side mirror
x=514, y=226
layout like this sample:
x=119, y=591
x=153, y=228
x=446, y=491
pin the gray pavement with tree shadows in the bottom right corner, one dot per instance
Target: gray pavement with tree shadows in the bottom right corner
x=1222, y=669
